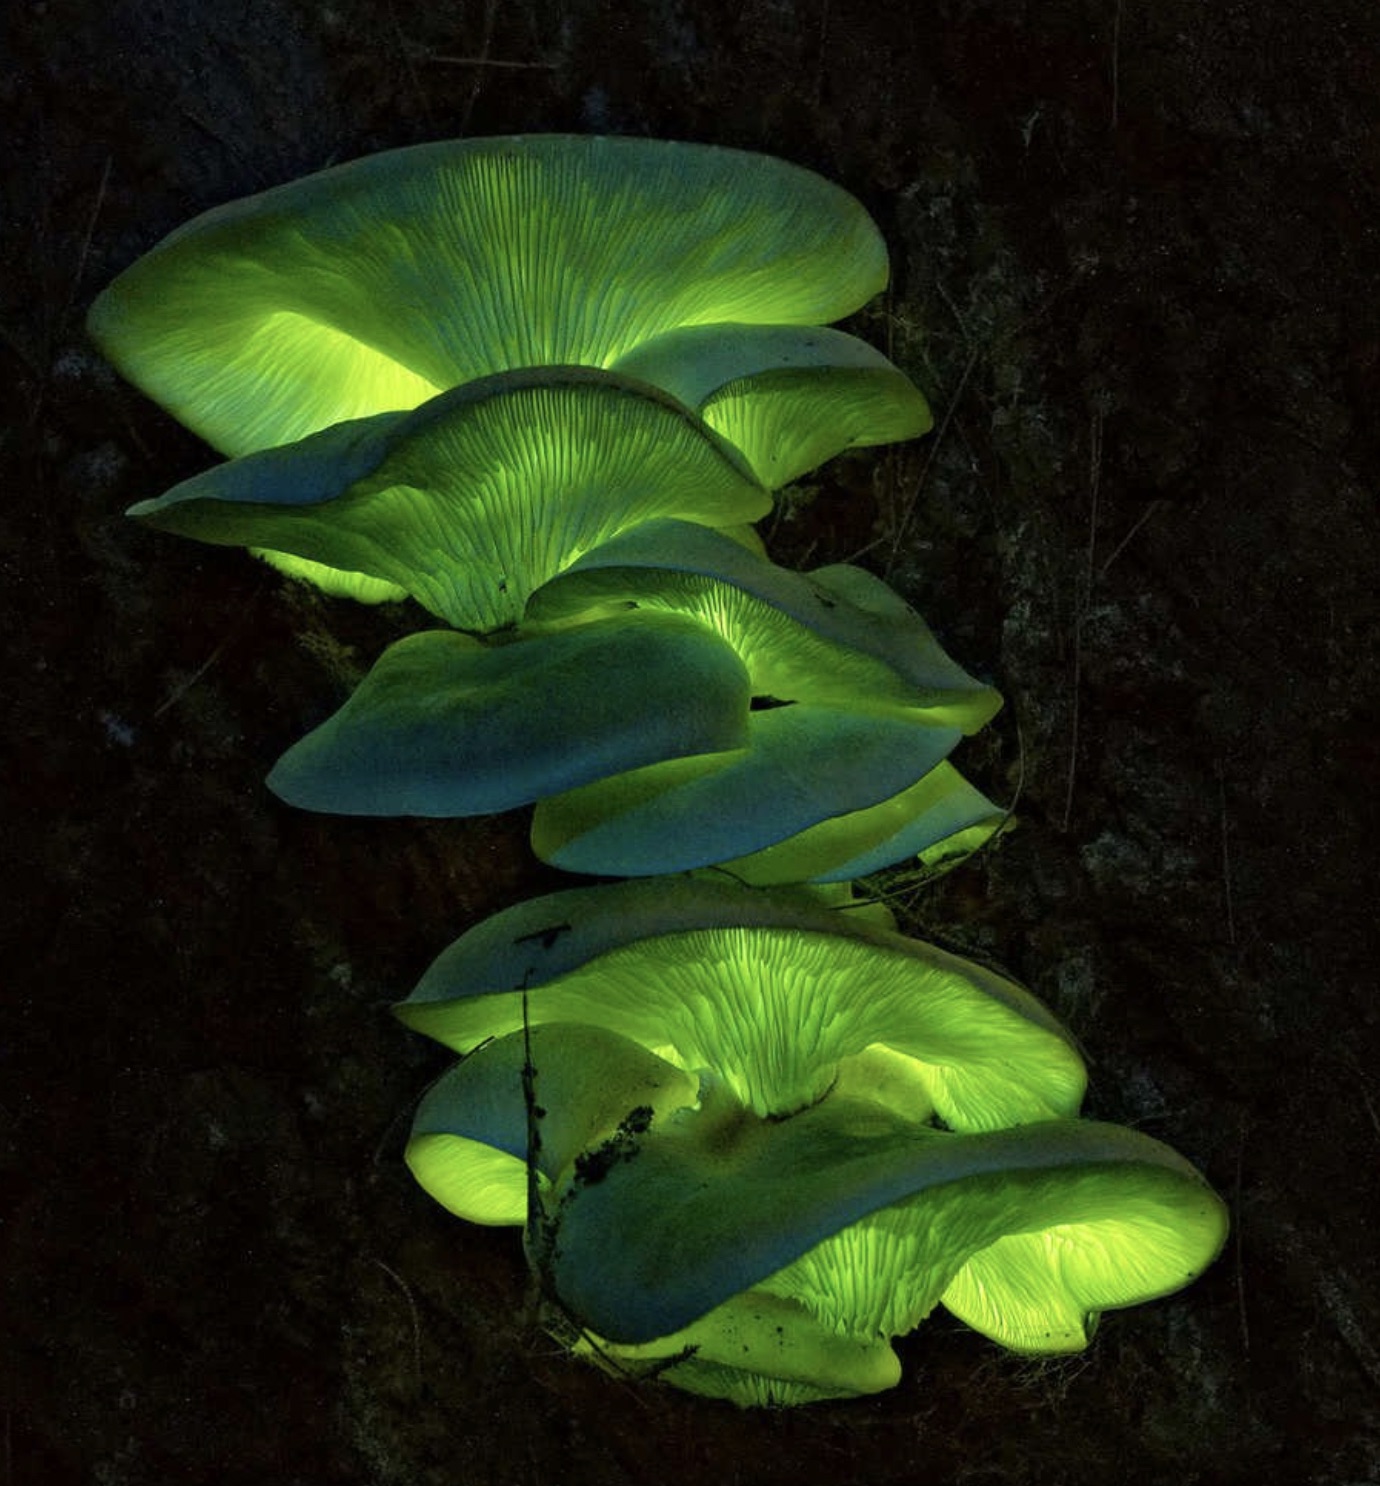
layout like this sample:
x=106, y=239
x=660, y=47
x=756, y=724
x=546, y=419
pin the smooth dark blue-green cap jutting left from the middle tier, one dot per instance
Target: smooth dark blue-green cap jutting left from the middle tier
x=446, y=726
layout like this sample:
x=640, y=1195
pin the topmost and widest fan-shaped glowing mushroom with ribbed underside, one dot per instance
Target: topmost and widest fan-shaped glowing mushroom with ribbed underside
x=378, y=285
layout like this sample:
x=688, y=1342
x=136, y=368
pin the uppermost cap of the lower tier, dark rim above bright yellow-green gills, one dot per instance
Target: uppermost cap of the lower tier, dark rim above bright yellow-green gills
x=773, y=992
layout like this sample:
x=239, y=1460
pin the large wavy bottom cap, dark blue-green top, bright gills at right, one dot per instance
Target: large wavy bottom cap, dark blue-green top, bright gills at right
x=868, y=1219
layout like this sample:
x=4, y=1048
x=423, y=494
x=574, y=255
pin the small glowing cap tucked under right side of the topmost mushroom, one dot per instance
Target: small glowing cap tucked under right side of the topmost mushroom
x=788, y=398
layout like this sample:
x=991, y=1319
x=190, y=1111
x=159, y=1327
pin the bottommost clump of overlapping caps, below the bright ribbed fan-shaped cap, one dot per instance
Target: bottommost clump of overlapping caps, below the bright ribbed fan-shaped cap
x=723, y=1250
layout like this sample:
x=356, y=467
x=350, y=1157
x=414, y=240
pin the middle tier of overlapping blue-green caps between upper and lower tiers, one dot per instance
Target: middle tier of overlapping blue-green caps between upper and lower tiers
x=824, y=765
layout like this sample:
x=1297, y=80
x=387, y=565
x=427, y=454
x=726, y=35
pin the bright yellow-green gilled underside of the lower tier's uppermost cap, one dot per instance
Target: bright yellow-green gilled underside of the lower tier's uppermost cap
x=776, y=1013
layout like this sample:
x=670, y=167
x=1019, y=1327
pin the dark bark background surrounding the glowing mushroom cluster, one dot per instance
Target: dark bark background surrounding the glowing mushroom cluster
x=1136, y=268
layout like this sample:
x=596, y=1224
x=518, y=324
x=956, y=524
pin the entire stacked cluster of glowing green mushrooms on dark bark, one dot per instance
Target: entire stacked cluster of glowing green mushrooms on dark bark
x=541, y=387
